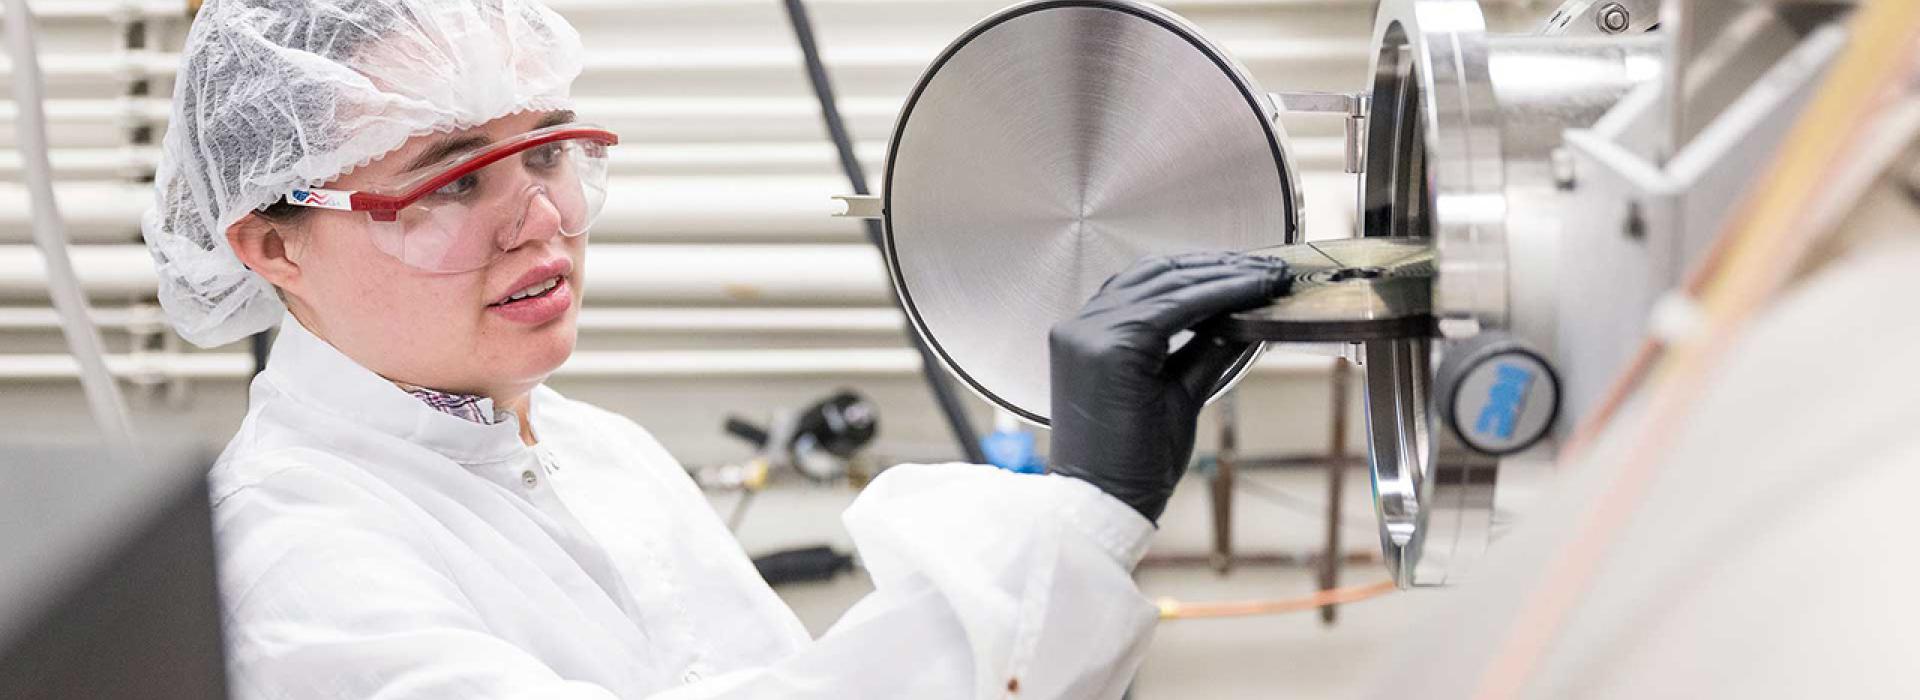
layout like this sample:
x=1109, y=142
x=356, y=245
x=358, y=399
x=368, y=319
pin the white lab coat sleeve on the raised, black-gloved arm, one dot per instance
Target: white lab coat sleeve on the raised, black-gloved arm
x=988, y=586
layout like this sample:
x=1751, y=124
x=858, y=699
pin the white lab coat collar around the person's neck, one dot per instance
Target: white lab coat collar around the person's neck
x=314, y=371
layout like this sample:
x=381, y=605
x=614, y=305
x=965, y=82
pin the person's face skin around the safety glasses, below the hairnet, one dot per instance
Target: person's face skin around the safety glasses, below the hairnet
x=450, y=333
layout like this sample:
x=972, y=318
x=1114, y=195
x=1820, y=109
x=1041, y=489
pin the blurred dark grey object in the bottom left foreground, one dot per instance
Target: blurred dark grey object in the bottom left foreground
x=107, y=578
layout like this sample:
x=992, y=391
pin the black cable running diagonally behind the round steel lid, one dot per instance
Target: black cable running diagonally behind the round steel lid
x=817, y=74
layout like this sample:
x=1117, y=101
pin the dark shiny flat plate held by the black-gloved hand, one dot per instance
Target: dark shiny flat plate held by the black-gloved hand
x=1345, y=291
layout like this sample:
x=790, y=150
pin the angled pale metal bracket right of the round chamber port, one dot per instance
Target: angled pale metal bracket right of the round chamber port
x=1664, y=174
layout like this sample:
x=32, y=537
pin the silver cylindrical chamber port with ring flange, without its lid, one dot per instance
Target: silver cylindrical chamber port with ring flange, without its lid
x=1460, y=151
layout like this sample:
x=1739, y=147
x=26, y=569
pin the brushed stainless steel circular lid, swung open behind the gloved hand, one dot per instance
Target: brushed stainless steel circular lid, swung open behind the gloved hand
x=1051, y=147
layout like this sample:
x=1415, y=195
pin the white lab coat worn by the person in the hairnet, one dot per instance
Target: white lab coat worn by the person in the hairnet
x=373, y=548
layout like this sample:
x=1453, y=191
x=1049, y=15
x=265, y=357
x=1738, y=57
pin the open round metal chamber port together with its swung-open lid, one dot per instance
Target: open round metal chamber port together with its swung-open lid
x=1059, y=141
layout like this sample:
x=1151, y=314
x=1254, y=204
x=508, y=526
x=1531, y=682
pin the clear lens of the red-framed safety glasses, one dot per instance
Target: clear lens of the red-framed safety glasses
x=487, y=212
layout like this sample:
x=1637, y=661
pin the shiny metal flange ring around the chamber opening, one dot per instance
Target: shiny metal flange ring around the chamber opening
x=1433, y=170
